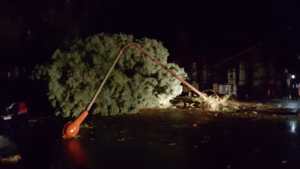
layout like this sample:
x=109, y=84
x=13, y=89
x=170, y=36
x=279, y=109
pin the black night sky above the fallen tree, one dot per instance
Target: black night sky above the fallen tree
x=32, y=29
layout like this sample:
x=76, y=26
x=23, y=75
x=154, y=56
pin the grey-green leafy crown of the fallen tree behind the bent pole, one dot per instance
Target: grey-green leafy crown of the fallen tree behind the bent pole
x=76, y=71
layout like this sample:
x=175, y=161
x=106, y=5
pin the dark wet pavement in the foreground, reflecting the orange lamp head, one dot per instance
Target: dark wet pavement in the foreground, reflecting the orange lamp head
x=156, y=143
